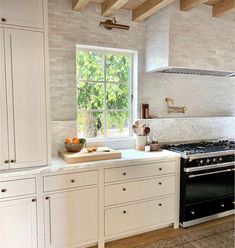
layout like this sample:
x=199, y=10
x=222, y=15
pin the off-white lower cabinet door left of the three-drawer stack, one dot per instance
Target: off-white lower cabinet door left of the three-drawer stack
x=71, y=218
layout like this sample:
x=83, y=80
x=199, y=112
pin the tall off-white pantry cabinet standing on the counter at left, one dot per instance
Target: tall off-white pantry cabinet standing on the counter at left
x=23, y=87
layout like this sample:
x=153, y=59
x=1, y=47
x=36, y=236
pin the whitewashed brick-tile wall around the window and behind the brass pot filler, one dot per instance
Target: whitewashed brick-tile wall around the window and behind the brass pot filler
x=202, y=95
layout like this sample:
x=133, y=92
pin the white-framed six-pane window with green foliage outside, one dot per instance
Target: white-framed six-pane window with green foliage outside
x=104, y=93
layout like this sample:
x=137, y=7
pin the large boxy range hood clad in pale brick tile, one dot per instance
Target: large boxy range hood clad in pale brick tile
x=190, y=42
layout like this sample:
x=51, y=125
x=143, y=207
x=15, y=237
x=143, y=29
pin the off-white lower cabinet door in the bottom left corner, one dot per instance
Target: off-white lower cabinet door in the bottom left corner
x=18, y=223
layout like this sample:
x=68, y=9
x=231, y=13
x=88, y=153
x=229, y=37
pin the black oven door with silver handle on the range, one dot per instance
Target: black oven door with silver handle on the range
x=206, y=185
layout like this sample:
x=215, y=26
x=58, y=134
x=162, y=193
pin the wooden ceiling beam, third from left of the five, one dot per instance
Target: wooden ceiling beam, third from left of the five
x=148, y=8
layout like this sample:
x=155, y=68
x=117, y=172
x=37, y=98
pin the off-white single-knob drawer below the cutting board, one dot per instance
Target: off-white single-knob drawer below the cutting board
x=72, y=180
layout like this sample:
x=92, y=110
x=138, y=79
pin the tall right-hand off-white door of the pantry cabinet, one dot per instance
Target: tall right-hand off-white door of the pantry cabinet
x=26, y=98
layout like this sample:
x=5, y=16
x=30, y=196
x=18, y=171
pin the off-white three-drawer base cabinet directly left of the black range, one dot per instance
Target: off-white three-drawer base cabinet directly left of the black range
x=140, y=198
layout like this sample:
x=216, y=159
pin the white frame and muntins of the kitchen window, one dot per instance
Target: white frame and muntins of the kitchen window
x=132, y=84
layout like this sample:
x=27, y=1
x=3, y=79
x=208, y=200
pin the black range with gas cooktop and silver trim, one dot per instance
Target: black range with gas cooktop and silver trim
x=207, y=180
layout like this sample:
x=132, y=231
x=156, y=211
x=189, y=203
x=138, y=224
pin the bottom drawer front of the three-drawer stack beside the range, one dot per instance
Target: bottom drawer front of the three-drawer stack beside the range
x=135, y=216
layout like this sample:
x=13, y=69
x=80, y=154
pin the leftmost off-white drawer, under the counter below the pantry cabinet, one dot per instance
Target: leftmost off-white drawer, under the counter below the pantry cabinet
x=17, y=188
